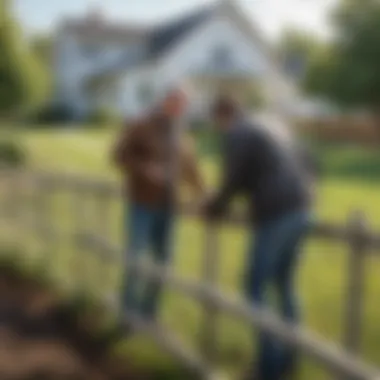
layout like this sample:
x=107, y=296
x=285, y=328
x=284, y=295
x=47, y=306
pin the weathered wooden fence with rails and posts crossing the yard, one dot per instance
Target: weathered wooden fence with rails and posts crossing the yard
x=344, y=363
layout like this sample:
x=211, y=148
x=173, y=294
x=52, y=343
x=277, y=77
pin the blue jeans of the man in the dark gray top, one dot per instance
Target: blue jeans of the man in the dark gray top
x=272, y=263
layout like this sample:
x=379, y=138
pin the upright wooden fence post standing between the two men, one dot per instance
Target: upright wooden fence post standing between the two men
x=210, y=277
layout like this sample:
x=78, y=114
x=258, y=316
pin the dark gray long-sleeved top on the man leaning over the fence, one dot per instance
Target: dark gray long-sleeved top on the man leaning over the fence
x=270, y=172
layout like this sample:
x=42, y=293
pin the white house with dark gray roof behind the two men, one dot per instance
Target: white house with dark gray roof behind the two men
x=126, y=67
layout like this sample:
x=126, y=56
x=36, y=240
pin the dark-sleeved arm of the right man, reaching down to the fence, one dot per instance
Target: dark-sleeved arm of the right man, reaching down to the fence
x=235, y=160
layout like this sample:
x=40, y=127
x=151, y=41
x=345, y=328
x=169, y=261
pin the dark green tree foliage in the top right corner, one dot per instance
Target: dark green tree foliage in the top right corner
x=348, y=71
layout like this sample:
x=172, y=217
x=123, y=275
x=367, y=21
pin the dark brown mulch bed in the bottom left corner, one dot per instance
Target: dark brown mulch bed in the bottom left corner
x=43, y=339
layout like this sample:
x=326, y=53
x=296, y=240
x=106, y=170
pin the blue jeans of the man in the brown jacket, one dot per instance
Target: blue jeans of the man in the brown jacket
x=148, y=228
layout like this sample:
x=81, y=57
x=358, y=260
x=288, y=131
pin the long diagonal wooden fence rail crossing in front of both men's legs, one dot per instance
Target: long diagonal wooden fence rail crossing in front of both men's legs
x=333, y=358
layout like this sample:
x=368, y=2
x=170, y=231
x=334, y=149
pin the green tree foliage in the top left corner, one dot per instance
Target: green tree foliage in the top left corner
x=23, y=84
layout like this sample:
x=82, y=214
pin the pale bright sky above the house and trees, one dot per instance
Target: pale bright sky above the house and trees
x=270, y=15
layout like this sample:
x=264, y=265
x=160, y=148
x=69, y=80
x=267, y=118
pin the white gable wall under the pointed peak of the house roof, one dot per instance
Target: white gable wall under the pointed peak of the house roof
x=194, y=54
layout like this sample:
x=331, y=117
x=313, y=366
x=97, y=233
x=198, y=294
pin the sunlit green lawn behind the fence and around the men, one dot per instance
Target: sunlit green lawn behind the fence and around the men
x=350, y=181
